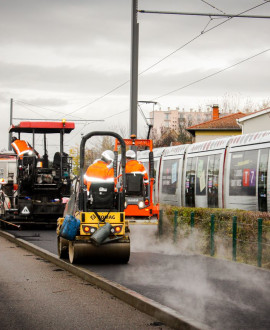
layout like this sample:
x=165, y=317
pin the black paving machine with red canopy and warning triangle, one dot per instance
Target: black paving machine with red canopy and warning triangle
x=37, y=189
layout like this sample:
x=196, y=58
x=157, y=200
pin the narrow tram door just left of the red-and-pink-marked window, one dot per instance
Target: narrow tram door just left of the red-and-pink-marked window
x=212, y=180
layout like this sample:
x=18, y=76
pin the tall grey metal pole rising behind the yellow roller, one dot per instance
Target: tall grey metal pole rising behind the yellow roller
x=134, y=68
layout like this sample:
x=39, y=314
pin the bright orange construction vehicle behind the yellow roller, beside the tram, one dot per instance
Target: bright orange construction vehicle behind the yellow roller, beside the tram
x=139, y=200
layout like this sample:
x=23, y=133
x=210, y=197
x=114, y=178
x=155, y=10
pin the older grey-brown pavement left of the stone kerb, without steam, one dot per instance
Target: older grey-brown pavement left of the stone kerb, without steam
x=35, y=294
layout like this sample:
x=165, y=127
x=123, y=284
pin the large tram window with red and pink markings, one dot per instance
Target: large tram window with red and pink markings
x=243, y=173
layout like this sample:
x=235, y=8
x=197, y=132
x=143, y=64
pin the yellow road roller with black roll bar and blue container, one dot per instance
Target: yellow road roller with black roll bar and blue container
x=93, y=228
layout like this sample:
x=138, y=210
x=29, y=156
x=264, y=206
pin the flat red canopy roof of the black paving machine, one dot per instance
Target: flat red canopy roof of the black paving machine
x=47, y=127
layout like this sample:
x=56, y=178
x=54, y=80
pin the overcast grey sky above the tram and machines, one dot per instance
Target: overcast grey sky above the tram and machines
x=59, y=58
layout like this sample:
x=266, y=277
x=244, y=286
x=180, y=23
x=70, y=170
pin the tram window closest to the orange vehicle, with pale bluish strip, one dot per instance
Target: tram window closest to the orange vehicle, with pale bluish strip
x=170, y=176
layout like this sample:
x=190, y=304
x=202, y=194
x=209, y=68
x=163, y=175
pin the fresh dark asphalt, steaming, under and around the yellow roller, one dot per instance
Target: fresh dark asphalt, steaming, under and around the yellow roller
x=220, y=294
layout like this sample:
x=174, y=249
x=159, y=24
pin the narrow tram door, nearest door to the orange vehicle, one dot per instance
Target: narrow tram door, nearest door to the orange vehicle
x=190, y=182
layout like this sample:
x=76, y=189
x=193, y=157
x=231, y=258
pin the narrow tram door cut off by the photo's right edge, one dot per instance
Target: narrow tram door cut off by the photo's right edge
x=262, y=180
